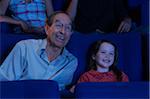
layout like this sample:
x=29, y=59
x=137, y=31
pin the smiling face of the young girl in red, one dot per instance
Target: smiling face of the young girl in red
x=105, y=56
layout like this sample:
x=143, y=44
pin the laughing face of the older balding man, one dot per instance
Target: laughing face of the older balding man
x=58, y=34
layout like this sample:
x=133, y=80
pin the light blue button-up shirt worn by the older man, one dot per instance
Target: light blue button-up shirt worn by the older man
x=28, y=60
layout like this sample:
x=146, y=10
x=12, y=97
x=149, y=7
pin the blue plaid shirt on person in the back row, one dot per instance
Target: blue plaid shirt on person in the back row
x=33, y=13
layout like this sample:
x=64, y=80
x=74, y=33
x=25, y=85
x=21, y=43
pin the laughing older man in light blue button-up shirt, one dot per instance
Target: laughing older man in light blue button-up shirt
x=46, y=59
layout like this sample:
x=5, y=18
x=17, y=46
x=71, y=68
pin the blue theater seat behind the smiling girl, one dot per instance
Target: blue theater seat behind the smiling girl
x=129, y=46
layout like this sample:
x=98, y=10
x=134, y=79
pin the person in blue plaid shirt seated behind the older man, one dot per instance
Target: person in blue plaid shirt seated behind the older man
x=29, y=14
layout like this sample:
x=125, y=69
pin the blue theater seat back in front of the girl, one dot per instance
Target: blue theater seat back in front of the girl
x=115, y=90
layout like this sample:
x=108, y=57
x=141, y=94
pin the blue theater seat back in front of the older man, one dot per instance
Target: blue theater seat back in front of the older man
x=29, y=89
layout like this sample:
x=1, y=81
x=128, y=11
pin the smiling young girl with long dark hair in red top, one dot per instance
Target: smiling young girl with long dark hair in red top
x=102, y=64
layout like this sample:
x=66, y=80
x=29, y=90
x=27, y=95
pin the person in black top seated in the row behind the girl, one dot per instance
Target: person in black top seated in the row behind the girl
x=100, y=15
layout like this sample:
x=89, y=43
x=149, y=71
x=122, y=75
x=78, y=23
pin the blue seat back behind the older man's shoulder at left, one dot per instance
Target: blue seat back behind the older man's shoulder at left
x=8, y=39
